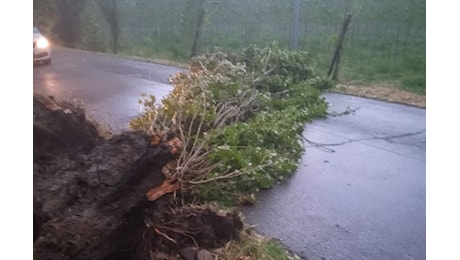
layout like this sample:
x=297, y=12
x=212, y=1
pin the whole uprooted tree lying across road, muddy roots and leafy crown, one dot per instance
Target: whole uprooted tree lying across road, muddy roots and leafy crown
x=230, y=127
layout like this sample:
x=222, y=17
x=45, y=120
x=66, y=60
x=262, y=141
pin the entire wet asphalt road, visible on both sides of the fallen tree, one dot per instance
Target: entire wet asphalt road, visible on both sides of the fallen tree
x=359, y=192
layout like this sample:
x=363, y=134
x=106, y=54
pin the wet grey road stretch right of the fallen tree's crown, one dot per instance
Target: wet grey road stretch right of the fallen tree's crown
x=359, y=192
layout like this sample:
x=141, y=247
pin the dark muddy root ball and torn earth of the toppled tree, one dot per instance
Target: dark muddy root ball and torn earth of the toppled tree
x=91, y=196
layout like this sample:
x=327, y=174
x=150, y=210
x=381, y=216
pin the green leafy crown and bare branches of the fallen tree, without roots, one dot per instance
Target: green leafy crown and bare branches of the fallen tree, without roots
x=240, y=116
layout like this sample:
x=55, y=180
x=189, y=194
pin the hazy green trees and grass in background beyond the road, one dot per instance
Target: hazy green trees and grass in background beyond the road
x=385, y=43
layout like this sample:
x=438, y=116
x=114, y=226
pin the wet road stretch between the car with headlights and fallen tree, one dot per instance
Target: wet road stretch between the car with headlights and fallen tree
x=107, y=87
